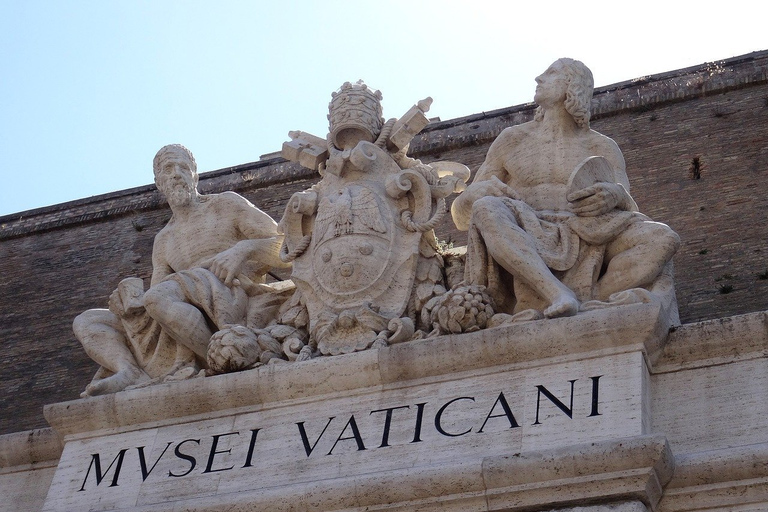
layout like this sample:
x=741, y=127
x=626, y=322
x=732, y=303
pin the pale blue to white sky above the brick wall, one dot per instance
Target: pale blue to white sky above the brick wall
x=90, y=90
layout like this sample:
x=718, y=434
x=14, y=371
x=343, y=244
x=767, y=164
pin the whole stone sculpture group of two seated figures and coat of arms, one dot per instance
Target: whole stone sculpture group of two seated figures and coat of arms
x=552, y=232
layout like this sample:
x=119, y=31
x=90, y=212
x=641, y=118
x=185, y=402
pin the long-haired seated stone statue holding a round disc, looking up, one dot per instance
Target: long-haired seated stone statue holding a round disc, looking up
x=550, y=227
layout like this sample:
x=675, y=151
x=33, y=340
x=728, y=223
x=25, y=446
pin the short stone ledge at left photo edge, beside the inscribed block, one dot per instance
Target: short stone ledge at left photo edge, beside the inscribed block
x=30, y=448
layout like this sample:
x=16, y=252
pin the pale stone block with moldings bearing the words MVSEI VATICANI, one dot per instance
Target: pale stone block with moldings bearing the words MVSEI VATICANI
x=530, y=416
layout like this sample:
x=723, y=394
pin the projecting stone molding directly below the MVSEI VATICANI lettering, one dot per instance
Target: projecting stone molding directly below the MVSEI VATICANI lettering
x=597, y=473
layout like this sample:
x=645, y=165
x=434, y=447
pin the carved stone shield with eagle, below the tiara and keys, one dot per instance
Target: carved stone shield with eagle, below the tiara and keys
x=360, y=255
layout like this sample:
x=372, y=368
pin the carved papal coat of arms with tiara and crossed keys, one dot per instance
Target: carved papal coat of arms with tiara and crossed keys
x=361, y=241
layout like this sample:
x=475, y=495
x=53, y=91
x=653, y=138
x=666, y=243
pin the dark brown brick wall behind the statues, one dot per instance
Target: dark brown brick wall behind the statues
x=58, y=261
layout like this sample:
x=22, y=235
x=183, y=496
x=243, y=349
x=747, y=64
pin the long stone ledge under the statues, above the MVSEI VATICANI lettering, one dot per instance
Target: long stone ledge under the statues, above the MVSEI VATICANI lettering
x=622, y=329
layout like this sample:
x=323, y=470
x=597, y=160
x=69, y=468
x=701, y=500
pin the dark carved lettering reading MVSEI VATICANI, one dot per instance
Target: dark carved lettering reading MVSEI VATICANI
x=342, y=434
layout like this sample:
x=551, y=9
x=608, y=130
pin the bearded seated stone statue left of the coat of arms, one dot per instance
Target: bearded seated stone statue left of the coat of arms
x=209, y=263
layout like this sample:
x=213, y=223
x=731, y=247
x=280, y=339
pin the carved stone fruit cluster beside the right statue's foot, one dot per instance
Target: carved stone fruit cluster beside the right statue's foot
x=462, y=309
